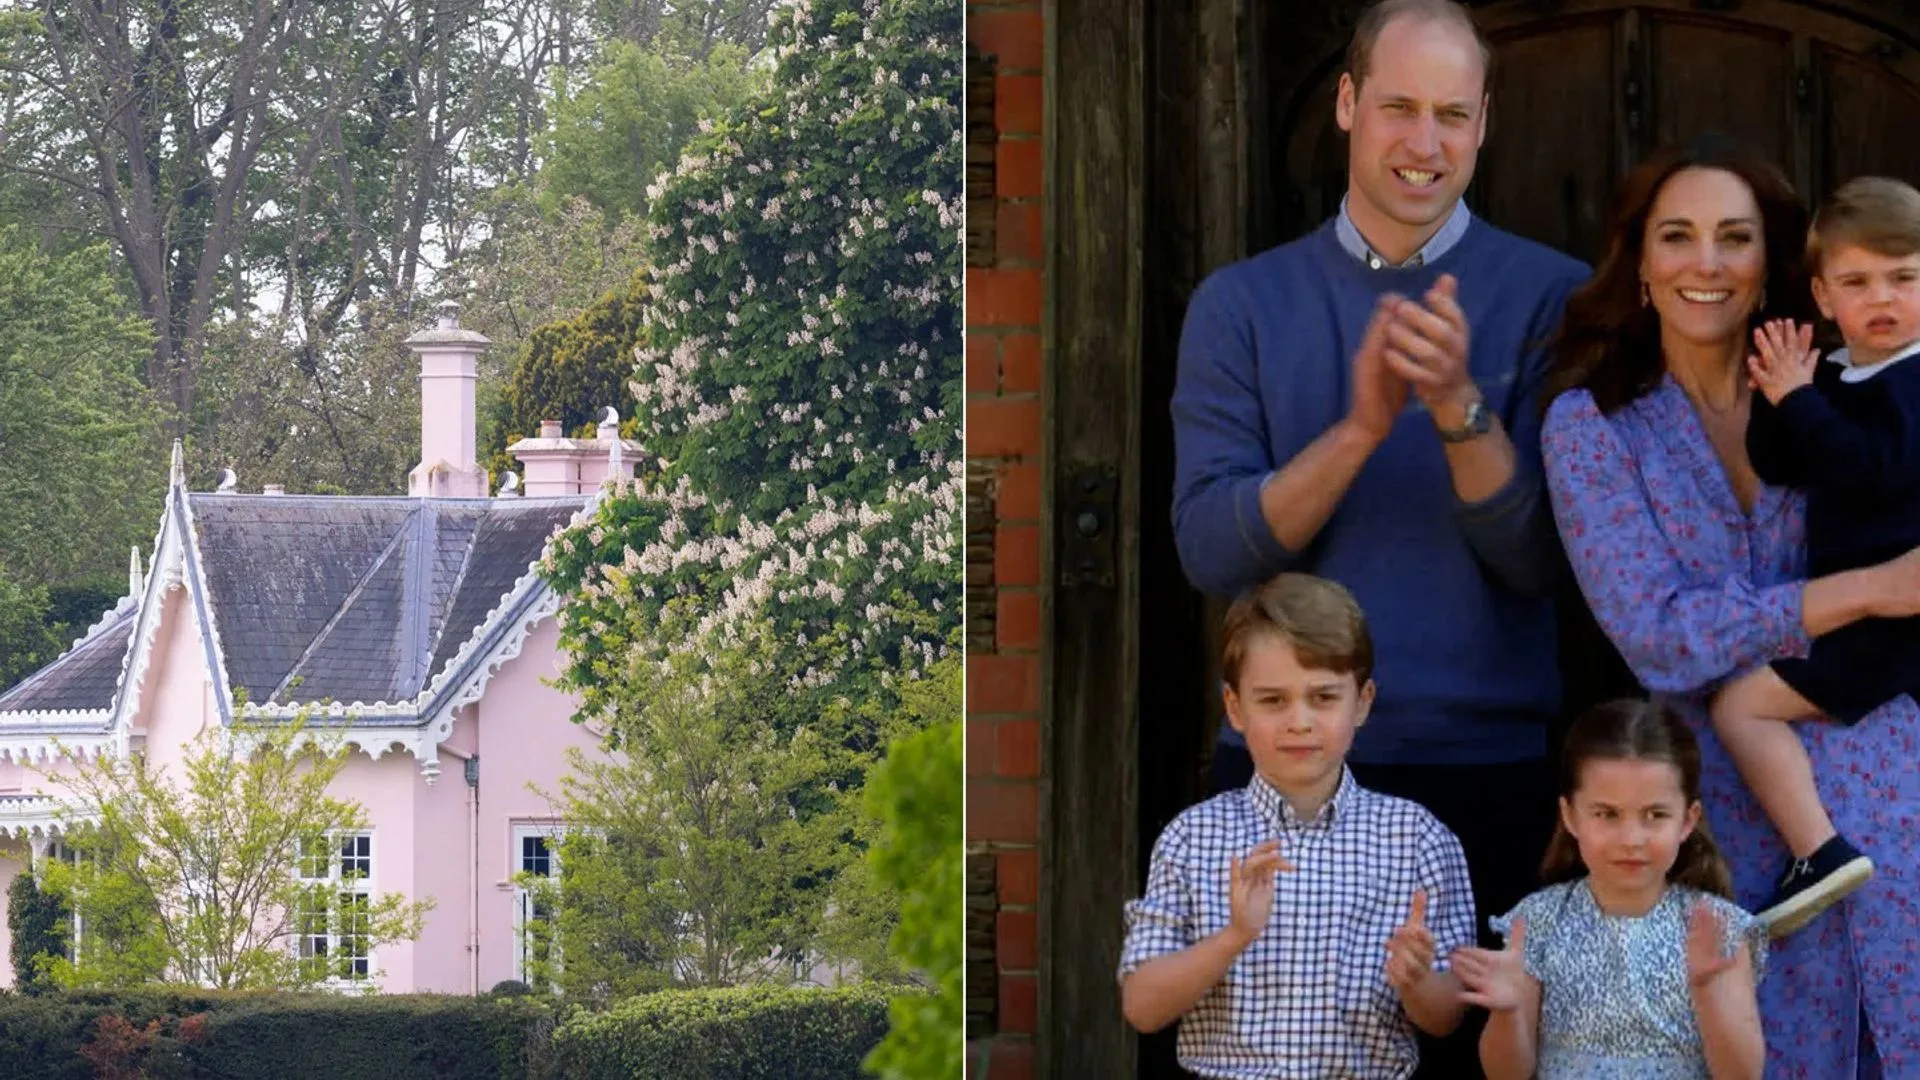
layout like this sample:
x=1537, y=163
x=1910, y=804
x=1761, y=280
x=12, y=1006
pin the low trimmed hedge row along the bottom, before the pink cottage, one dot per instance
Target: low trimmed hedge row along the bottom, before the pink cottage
x=694, y=1035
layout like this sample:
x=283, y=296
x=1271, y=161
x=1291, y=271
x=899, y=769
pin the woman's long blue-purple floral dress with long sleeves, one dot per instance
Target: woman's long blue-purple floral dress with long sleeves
x=1694, y=591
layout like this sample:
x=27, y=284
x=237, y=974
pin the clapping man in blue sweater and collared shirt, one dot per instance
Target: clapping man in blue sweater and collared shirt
x=1362, y=405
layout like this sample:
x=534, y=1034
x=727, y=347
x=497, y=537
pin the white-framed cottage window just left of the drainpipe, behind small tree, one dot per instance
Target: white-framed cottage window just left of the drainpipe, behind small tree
x=335, y=916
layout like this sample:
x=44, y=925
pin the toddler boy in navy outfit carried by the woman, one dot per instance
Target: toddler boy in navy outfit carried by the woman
x=1850, y=433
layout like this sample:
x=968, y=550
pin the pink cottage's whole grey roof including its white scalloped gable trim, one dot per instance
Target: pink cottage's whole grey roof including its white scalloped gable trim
x=391, y=610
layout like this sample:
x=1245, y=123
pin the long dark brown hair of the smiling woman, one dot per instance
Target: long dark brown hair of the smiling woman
x=1610, y=343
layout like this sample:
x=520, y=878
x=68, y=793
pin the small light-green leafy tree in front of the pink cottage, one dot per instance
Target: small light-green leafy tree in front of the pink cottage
x=203, y=883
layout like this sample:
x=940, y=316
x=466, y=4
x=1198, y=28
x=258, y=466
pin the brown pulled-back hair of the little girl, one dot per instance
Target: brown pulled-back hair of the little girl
x=1637, y=731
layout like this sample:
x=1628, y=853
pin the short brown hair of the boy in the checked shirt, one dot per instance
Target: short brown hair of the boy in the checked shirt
x=1318, y=618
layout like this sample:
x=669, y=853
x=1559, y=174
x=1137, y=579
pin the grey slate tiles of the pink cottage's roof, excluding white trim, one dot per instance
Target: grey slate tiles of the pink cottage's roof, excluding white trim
x=329, y=599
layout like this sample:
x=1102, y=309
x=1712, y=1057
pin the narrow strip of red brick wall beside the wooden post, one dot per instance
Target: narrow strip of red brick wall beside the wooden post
x=1005, y=430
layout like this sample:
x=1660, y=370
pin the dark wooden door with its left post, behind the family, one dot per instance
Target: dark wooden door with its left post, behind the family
x=1237, y=151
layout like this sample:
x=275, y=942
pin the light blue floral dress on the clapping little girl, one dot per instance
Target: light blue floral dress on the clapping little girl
x=1614, y=994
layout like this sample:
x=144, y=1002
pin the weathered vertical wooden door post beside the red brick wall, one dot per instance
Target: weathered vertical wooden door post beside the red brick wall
x=1095, y=157
